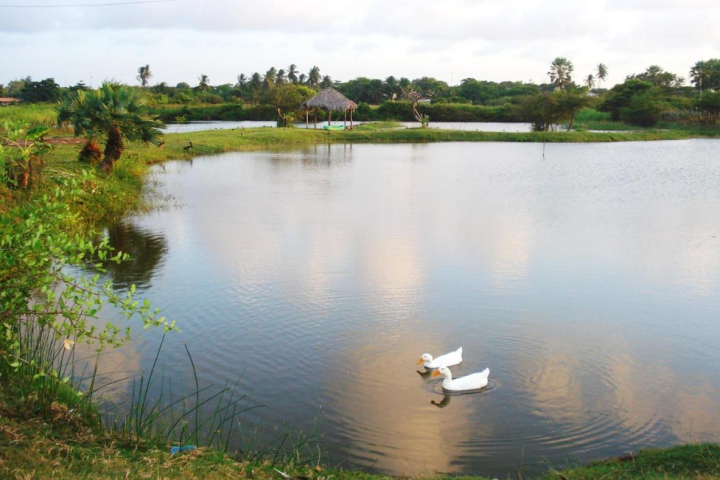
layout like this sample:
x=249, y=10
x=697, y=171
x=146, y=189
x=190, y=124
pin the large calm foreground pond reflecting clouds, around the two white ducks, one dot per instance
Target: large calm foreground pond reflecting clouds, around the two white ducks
x=587, y=279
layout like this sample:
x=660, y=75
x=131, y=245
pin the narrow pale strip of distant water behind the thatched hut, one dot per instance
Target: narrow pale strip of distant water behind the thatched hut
x=227, y=125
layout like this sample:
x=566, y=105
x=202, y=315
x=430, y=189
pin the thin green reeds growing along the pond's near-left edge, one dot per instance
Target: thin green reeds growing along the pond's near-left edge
x=152, y=413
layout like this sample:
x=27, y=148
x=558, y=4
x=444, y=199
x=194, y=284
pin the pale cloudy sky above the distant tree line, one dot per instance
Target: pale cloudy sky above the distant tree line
x=448, y=39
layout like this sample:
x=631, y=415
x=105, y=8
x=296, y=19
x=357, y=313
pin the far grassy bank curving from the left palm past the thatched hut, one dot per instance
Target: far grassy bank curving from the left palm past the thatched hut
x=111, y=197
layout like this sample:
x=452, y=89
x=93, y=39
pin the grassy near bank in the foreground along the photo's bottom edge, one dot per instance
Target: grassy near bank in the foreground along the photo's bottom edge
x=65, y=448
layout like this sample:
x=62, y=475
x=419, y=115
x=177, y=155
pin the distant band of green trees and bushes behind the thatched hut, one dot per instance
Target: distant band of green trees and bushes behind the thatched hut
x=644, y=99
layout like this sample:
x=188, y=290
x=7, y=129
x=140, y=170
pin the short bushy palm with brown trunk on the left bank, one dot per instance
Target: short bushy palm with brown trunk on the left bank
x=115, y=112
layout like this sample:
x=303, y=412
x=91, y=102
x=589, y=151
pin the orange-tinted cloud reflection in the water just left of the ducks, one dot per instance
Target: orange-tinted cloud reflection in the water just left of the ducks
x=401, y=421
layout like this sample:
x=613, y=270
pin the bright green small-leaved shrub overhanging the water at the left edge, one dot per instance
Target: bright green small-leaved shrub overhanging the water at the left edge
x=45, y=308
